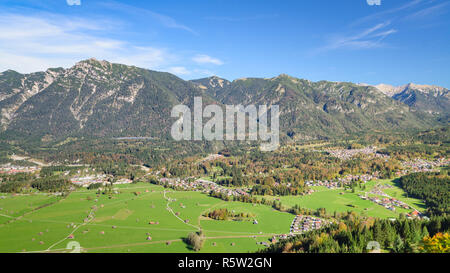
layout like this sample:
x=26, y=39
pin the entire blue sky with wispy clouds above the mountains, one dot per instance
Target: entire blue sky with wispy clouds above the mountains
x=397, y=42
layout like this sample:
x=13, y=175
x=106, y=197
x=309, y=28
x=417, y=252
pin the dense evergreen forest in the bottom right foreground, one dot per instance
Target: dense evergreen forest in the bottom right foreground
x=353, y=235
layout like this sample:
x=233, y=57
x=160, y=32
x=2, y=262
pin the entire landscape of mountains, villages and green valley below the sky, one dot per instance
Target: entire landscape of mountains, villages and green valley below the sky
x=87, y=161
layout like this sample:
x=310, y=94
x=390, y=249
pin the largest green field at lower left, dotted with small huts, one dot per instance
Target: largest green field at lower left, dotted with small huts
x=121, y=224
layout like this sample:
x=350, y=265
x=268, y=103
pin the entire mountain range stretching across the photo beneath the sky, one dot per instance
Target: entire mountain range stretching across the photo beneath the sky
x=98, y=99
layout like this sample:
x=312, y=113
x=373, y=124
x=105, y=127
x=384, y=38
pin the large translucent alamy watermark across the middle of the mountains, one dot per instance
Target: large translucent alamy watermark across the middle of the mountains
x=258, y=127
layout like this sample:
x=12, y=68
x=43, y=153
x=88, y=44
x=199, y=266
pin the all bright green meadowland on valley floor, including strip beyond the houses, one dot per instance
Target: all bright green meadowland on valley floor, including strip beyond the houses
x=148, y=218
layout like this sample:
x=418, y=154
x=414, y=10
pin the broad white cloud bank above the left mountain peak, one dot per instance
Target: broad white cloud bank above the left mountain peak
x=35, y=43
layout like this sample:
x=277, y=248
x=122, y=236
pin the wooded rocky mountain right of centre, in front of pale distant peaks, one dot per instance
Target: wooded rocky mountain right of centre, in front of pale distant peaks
x=323, y=109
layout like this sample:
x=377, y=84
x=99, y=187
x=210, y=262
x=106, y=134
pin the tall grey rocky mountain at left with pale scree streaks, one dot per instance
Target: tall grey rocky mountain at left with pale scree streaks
x=94, y=98
